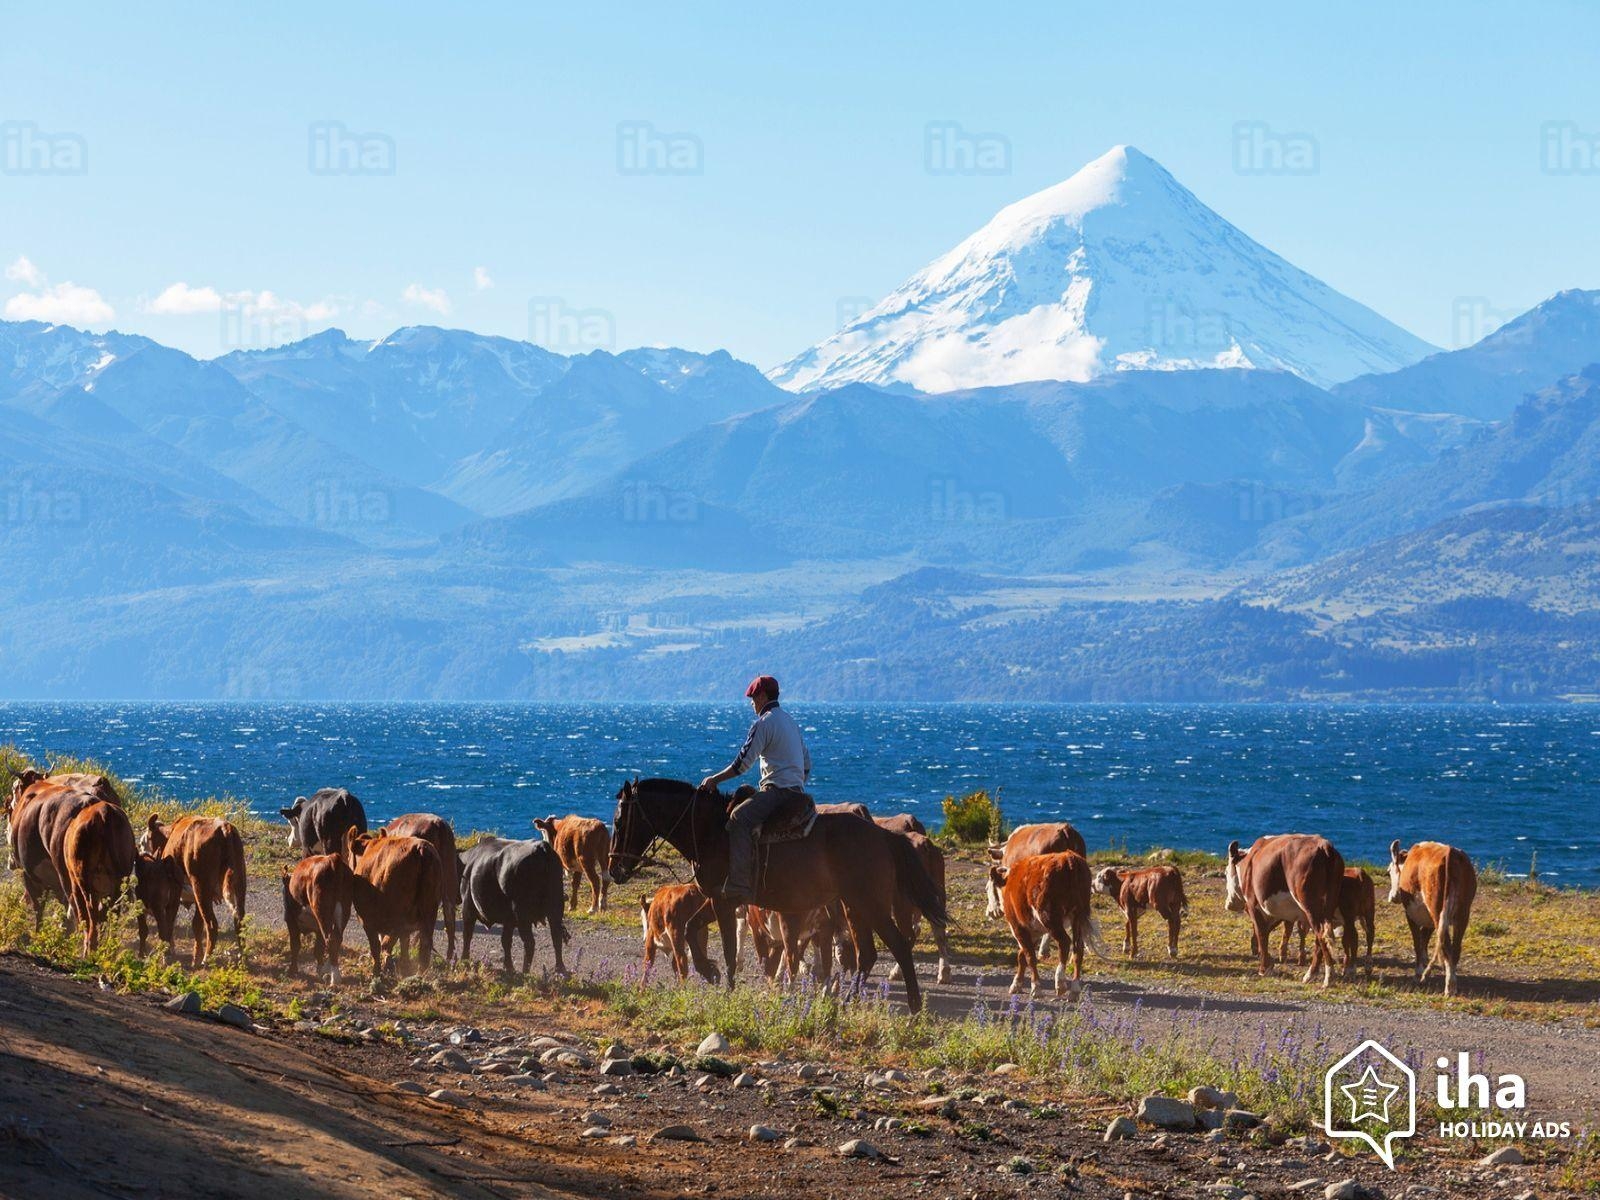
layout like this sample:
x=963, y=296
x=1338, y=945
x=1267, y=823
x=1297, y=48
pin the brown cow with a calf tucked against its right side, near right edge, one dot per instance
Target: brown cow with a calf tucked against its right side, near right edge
x=1289, y=878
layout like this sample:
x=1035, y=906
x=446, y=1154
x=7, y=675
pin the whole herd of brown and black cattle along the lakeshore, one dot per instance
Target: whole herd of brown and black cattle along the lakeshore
x=73, y=841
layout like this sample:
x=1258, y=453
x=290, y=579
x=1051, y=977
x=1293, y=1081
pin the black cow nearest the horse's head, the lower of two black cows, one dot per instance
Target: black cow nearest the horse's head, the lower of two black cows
x=514, y=886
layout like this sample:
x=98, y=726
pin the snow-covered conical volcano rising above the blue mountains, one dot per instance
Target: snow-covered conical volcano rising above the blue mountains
x=1119, y=268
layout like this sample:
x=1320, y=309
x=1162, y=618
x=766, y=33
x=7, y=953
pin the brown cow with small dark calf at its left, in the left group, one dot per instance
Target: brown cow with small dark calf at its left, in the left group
x=210, y=854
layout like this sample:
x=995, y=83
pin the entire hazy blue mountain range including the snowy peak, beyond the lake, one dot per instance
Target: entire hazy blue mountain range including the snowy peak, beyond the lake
x=999, y=481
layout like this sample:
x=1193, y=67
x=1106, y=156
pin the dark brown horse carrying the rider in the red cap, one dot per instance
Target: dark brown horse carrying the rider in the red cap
x=844, y=858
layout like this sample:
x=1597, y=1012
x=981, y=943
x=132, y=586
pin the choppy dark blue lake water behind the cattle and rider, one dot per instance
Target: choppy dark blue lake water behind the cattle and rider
x=1502, y=783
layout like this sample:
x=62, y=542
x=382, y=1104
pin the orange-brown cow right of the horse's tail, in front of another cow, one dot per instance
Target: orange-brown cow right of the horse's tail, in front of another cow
x=1049, y=895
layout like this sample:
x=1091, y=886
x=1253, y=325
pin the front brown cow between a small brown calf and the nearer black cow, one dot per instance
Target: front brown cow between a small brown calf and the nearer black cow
x=398, y=882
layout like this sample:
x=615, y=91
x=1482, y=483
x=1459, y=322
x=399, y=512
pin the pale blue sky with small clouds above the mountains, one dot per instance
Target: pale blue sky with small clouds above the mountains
x=1455, y=158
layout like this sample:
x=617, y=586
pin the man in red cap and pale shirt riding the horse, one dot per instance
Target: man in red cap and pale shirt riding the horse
x=786, y=766
